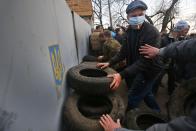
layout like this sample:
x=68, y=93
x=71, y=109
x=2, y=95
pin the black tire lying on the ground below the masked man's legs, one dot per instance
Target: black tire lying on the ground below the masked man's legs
x=141, y=120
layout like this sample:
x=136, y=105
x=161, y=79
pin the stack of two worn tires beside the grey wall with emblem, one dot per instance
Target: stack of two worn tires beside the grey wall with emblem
x=92, y=97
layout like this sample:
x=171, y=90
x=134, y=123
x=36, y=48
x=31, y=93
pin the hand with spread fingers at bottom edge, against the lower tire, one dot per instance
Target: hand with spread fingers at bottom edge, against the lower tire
x=108, y=124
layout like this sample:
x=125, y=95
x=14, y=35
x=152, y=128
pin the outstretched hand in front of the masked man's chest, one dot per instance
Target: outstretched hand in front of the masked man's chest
x=149, y=51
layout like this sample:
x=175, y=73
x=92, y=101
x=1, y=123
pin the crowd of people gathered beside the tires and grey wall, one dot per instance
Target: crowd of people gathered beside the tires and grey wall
x=142, y=56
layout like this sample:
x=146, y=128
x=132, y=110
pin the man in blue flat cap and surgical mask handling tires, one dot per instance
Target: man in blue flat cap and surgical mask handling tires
x=140, y=73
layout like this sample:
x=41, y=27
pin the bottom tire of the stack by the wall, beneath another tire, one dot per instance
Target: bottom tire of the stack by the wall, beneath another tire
x=76, y=121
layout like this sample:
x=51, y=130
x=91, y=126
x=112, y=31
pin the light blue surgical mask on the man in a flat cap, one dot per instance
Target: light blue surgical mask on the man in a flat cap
x=136, y=20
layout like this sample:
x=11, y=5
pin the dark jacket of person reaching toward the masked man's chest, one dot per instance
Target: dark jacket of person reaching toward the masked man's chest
x=184, y=54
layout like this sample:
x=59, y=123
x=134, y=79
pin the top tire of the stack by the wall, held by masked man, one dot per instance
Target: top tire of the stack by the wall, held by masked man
x=86, y=78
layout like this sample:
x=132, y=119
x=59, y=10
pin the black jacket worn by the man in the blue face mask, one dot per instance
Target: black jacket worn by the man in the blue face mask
x=148, y=34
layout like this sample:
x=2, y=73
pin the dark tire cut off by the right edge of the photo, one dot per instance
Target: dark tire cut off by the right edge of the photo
x=183, y=99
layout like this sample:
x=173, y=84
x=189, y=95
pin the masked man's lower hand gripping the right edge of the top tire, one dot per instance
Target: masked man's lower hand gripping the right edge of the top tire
x=116, y=81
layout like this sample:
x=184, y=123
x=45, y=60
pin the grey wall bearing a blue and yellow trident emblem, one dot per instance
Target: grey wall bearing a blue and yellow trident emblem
x=37, y=48
